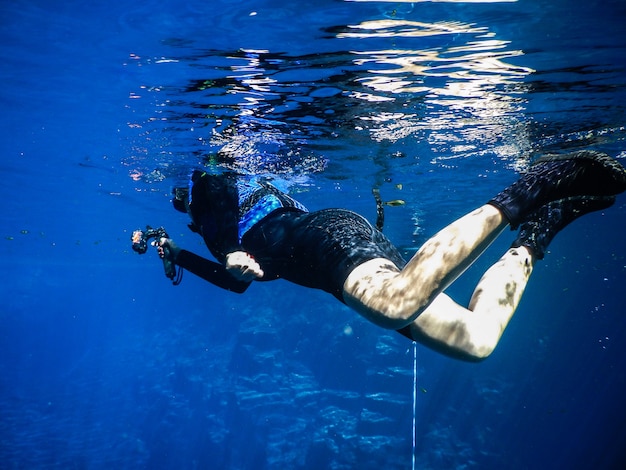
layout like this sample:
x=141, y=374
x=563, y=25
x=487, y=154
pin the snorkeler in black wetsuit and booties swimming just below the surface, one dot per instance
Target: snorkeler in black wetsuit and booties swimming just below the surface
x=257, y=232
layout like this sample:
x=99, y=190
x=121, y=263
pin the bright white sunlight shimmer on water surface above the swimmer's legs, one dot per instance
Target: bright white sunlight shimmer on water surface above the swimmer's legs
x=462, y=74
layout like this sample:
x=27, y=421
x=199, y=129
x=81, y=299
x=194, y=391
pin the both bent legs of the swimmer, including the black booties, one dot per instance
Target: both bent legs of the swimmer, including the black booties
x=552, y=193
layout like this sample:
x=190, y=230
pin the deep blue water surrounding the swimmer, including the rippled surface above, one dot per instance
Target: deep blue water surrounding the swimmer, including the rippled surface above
x=107, y=105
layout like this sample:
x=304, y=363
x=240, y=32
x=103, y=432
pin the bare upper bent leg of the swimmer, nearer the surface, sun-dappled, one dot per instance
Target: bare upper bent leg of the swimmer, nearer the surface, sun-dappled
x=393, y=299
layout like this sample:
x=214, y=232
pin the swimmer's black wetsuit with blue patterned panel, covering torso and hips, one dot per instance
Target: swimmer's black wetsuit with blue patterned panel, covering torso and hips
x=313, y=249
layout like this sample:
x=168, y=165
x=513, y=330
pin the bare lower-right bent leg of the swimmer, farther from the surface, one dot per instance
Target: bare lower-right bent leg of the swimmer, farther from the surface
x=473, y=334
